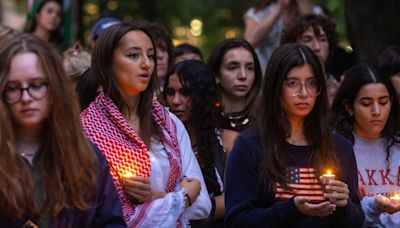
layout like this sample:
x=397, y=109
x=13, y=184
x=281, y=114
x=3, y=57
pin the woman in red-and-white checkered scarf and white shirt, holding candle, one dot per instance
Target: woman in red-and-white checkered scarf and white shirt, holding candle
x=139, y=137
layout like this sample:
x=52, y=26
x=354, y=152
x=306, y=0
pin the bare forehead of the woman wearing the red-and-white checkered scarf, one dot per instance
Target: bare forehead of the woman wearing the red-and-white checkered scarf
x=136, y=39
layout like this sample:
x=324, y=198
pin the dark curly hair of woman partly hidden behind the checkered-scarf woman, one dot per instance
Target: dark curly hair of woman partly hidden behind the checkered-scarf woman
x=197, y=79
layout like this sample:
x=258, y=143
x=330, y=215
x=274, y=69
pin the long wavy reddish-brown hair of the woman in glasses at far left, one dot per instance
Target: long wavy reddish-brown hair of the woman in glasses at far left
x=66, y=163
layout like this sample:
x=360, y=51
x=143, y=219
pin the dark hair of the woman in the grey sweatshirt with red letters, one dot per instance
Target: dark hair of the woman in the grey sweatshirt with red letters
x=357, y=77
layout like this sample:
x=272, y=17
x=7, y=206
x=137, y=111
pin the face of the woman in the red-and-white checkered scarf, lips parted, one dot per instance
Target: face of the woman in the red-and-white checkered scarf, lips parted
x=133, y=62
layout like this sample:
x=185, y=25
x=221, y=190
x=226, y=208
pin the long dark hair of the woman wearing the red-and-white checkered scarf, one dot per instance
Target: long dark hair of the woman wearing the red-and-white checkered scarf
x=102, y=60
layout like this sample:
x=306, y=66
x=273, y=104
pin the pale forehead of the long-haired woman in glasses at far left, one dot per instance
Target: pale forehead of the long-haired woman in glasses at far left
x=25, y=66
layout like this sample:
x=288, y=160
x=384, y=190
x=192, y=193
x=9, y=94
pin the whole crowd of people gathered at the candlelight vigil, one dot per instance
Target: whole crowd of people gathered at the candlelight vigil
x=270, y=130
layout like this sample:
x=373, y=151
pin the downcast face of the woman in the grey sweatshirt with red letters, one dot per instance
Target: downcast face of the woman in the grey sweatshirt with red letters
x=371, y=109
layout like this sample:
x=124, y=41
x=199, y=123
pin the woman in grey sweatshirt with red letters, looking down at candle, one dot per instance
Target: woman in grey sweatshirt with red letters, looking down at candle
x=365, y=110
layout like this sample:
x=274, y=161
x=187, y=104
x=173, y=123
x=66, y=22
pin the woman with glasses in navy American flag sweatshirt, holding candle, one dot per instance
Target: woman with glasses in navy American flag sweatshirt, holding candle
x=274, y=172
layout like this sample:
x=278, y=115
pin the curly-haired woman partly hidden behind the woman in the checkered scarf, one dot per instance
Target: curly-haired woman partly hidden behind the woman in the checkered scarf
x=190, y=93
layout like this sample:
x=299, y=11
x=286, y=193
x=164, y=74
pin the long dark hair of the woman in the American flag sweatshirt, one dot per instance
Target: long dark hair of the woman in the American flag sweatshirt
x=273, y=125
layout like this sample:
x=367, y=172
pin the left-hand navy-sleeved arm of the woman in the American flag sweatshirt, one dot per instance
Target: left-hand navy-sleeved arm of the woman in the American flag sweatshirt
x=243, y=204
